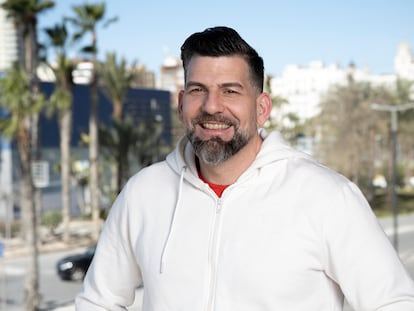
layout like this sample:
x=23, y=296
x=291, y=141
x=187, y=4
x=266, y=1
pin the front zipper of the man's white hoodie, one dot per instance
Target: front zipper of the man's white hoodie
x=213, y=252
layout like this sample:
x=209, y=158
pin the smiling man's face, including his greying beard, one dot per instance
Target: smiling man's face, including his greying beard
x=218, y=107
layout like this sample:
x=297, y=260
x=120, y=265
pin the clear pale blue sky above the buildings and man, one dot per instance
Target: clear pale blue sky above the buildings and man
x=366, y=32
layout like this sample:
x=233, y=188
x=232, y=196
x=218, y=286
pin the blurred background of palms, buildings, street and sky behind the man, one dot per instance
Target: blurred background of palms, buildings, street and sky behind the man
x=88, y=96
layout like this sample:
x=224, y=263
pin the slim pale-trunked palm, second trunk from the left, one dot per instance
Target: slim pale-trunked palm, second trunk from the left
x=61, y=100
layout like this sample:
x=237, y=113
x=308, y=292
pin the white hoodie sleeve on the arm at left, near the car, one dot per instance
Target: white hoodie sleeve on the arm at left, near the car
x=114, y=274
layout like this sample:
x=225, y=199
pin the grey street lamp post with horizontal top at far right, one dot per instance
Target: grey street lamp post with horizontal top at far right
x=394, y=130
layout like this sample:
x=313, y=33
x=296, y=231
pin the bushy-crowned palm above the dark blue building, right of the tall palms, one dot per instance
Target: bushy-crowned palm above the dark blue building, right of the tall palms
x=115, y=79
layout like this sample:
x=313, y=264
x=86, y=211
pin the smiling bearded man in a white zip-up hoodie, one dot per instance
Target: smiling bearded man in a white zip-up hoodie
x=235, y=219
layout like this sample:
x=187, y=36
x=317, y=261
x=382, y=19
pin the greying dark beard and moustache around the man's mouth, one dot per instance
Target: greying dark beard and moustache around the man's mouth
x=215, y=150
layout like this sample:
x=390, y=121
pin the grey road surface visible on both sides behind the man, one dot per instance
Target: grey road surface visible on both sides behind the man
x=59, y=295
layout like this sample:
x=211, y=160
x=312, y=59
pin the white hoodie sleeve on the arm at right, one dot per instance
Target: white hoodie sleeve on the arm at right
x=361, y=259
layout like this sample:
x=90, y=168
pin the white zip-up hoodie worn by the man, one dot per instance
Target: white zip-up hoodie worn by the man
x=289, y=234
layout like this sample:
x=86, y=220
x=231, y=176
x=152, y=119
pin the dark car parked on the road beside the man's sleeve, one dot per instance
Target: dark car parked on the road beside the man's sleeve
x=74, y=267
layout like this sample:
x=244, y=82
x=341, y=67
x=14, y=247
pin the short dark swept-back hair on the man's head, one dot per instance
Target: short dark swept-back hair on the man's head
x=223, y=41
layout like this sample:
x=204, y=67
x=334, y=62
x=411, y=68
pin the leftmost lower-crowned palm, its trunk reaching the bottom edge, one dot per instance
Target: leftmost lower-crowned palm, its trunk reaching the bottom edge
x=17, y=99
